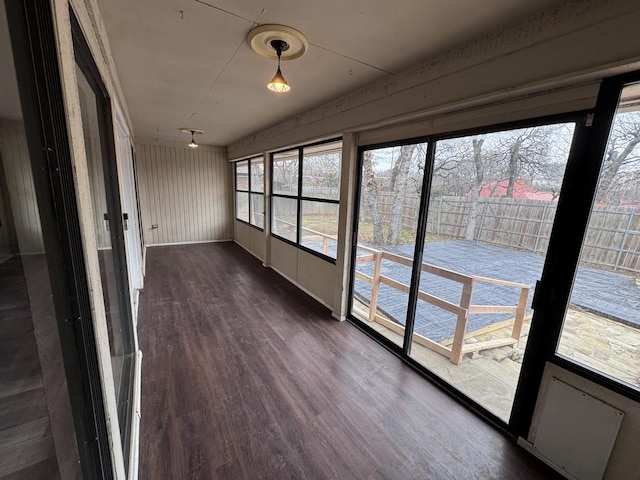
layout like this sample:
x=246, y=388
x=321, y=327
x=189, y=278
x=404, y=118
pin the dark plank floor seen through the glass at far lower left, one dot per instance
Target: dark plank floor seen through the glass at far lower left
x=26, y=442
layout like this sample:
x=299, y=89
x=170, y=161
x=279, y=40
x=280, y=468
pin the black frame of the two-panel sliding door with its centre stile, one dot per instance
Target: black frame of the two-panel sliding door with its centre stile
x=533, y=362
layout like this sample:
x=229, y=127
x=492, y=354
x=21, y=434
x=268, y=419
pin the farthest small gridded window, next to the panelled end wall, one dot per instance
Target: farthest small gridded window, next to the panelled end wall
x=250, y=191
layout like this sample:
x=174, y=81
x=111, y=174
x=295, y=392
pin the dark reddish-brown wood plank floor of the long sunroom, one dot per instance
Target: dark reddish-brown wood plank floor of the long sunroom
x=246, y=377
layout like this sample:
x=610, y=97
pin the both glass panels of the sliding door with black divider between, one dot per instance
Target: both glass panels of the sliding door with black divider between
x=451, y=238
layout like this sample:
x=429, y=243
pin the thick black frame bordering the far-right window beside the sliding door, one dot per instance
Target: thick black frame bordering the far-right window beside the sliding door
x=554, y=289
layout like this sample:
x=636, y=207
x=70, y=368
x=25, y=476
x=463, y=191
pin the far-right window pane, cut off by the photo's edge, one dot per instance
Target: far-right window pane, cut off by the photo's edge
x=601, y=328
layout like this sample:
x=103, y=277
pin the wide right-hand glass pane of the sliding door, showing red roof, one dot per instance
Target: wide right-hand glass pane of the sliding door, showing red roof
x=492, y=204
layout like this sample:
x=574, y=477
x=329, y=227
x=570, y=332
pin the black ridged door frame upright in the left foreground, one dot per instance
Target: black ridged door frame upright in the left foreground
x=33, y=41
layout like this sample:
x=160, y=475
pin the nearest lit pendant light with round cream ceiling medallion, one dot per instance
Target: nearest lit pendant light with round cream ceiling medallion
x=278, y=42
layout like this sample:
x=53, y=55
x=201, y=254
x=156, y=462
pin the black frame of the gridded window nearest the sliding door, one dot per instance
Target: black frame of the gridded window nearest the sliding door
x=299, y=198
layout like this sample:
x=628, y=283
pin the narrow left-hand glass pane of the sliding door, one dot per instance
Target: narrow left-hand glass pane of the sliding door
x=390, y=184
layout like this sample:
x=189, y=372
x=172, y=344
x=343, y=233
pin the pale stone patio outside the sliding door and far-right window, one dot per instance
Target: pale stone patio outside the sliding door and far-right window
x=490, y=377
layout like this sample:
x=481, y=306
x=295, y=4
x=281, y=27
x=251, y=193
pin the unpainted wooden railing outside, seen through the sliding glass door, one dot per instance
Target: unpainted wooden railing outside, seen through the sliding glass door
x=462, y=309
